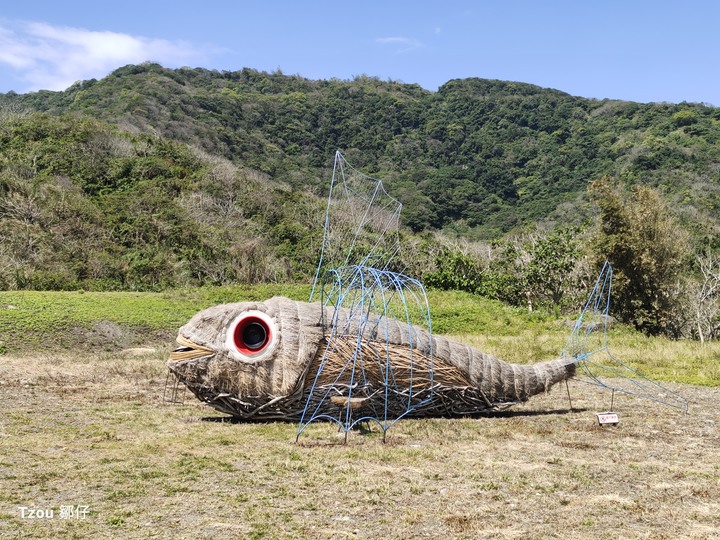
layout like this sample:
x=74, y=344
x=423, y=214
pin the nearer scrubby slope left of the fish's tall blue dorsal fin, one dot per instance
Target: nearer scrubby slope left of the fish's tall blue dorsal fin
x=83, y=205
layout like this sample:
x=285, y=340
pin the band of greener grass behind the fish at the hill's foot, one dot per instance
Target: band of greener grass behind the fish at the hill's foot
x=104, y=321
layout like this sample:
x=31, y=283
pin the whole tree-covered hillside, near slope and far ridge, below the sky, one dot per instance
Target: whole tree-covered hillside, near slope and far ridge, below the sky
x=153, y=177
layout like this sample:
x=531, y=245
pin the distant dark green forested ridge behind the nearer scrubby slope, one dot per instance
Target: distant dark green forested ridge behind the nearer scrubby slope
x=479, y=156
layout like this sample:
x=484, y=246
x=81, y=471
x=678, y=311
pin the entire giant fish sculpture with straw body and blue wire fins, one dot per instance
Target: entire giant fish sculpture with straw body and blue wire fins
x=357, y=354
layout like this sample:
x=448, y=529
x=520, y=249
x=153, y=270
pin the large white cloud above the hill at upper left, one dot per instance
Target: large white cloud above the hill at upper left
x=54, y=57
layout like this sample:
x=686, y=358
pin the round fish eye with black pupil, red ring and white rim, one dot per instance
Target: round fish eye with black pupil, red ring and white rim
x=252, y=335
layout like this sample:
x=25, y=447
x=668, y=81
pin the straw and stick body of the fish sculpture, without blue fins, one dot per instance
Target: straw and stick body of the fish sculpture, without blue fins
x=257, y=360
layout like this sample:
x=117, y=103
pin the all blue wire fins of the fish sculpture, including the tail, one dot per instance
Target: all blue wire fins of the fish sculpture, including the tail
x=362, y=376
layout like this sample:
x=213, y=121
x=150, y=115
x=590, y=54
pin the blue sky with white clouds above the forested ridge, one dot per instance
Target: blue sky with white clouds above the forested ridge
x=621, y=49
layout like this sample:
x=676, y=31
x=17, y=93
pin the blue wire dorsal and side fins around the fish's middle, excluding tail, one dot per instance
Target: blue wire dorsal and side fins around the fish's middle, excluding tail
x=361, y=296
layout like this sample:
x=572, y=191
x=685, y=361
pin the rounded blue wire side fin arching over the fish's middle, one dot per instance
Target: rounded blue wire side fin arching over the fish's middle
x=367, y=309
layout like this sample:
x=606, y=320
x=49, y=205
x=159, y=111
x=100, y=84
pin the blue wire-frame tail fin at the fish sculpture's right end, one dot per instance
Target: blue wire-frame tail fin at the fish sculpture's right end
x=588, y=348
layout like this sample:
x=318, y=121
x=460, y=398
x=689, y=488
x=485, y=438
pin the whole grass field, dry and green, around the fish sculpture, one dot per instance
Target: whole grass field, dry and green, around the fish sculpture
x=85, y=434
